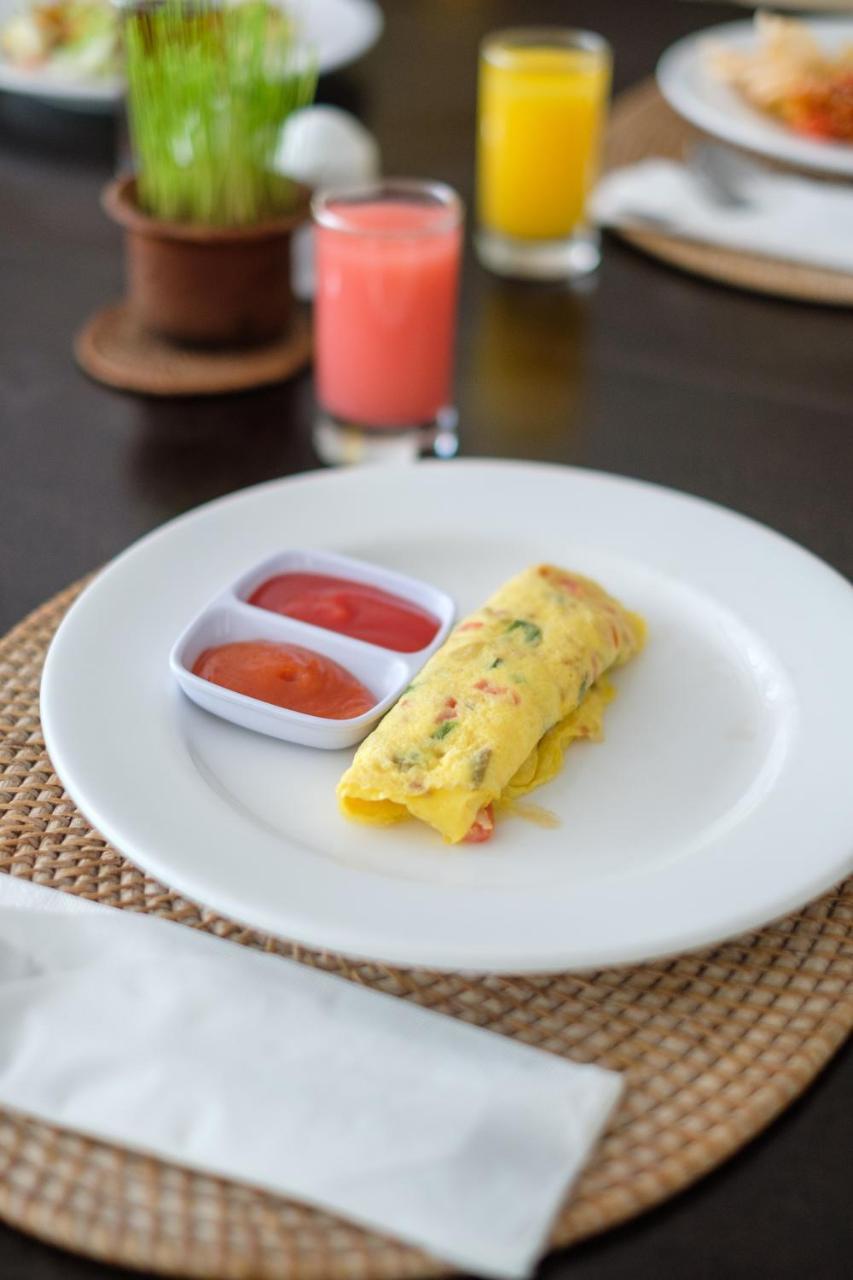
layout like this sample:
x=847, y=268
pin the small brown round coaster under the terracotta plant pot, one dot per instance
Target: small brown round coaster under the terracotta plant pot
x=113, y=349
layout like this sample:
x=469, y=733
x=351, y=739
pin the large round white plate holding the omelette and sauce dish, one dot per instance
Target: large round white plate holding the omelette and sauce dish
x=720, y=799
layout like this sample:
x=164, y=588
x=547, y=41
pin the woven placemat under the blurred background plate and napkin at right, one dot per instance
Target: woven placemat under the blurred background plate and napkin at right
x=644, y=126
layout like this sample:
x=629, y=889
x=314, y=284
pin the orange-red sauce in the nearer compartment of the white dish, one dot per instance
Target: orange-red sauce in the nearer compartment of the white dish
x=286, y=675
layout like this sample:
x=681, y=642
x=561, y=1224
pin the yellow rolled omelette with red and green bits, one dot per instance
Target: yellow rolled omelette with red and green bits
x=491, y=715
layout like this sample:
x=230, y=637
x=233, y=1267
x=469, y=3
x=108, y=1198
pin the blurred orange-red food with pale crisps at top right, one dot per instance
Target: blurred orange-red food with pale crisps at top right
x=791, y=77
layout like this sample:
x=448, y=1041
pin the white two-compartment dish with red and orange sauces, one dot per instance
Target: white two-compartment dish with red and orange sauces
x=311, y=647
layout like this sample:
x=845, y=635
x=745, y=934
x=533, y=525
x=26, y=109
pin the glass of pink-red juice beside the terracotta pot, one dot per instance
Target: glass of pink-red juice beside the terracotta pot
x=385, y=310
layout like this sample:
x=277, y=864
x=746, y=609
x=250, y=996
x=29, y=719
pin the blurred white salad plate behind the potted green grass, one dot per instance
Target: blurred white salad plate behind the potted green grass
x=340, y=31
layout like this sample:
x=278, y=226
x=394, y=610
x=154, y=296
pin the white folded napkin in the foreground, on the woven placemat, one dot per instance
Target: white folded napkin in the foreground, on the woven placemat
x=243, y=1064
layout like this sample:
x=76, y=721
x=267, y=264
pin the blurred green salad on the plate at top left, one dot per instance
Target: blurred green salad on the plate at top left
x=79, y=39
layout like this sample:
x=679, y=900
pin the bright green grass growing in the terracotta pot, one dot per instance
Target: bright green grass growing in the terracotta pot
x=209, y=89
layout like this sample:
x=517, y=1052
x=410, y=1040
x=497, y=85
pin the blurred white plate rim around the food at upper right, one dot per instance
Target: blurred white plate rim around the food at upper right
x=692, y=90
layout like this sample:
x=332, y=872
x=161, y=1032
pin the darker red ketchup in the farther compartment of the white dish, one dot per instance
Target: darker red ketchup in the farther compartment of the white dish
x=354, y=609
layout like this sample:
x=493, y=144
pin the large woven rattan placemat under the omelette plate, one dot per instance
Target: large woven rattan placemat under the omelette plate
x=713, y=1046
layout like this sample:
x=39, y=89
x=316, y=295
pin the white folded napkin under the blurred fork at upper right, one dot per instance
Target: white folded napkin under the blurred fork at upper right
x=793, y=220
